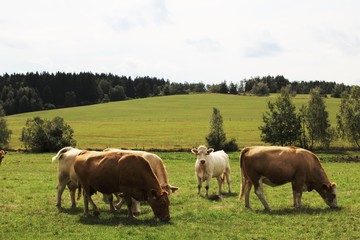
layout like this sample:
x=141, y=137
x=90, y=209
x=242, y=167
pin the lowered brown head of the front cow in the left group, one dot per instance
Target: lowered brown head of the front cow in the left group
x=159, y=203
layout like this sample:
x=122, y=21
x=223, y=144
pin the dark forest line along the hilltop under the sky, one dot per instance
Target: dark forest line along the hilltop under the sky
x=42, y=91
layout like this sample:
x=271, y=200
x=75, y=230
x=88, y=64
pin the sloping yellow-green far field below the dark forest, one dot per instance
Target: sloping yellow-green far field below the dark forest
x=171, y=122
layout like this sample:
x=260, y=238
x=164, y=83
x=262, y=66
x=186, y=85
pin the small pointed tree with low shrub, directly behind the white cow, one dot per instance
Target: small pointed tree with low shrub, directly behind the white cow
x=217, y=137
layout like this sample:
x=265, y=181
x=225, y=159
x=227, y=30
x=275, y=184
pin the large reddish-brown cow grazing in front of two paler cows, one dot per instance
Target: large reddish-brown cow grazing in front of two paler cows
x=114, y=172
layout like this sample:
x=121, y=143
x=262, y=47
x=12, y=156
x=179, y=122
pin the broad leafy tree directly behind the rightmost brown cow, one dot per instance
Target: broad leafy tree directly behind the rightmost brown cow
x=281, y=124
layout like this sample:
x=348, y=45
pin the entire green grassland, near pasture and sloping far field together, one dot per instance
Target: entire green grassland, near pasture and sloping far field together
x=28, y=181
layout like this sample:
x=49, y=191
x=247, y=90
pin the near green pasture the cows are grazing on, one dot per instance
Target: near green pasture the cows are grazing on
x=28, y=211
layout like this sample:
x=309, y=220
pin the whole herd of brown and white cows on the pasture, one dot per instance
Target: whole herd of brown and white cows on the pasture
x=134, y=176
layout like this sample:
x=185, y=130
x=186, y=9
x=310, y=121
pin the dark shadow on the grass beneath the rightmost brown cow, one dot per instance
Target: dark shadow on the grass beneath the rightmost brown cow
x=297, y=211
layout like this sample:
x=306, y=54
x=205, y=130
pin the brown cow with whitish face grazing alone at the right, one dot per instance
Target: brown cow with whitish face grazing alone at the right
x=276, y=166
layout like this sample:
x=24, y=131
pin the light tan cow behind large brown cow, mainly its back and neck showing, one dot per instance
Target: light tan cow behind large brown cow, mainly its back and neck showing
x=159, y=169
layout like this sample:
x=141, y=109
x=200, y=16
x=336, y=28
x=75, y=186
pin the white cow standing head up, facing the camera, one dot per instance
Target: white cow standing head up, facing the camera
x=210, y=164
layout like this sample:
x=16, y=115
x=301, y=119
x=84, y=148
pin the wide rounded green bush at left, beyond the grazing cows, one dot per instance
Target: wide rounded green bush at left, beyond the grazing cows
x=42, y=135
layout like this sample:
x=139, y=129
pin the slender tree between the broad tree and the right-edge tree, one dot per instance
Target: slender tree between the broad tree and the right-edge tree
x=317, y=120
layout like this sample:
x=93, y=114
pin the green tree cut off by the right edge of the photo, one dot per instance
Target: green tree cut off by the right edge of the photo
x=348, y=119
